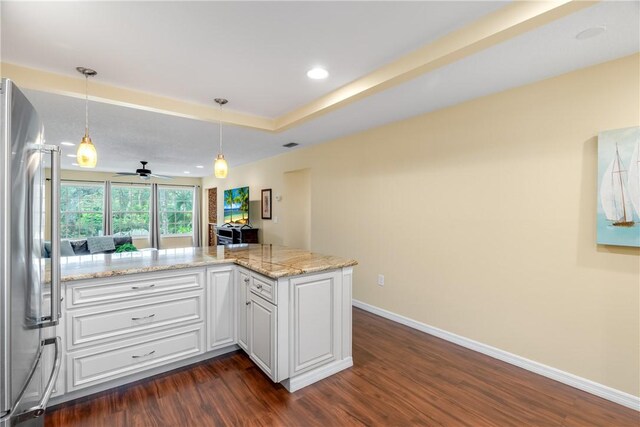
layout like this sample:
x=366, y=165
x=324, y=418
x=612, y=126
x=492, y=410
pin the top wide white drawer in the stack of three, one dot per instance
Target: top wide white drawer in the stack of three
x=131, y=287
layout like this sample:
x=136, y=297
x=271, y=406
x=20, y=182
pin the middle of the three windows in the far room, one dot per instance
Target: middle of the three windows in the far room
x=130, y=210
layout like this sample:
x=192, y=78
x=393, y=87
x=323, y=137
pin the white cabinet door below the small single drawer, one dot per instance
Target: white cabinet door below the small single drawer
x=262, y=335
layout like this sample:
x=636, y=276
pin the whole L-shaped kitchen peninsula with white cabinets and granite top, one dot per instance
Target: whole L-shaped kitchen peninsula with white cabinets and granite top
x=132, y=315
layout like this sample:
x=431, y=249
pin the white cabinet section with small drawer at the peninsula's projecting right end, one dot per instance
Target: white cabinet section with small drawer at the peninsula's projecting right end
x=298, y=328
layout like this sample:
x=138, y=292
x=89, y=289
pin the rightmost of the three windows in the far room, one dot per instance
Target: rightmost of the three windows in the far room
x=175, y=206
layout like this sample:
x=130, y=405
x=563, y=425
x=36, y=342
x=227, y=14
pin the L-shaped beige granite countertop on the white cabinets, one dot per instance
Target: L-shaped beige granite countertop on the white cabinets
x=269, y=260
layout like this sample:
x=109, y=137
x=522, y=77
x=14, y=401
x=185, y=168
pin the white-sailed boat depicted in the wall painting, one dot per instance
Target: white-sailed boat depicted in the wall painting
x=616, y=202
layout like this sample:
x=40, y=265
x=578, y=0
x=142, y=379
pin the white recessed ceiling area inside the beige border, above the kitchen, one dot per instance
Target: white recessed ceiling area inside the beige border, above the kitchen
x=256, y=54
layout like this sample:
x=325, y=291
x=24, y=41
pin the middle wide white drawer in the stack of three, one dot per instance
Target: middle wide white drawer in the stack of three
x=116, y=321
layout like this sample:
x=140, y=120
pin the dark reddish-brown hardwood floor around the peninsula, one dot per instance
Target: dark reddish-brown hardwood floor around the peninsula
x=401, y=377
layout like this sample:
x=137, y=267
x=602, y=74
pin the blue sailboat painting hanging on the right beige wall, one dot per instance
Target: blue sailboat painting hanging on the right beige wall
x=618, y=213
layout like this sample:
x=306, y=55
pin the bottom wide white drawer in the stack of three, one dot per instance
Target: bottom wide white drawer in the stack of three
x=97, y=365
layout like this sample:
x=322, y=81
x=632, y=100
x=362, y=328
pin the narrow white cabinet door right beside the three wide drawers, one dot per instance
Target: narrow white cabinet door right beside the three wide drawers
x=220, y=307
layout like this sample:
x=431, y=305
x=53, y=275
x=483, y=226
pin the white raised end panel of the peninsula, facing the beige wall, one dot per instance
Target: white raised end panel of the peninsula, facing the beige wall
x=316, y=338
